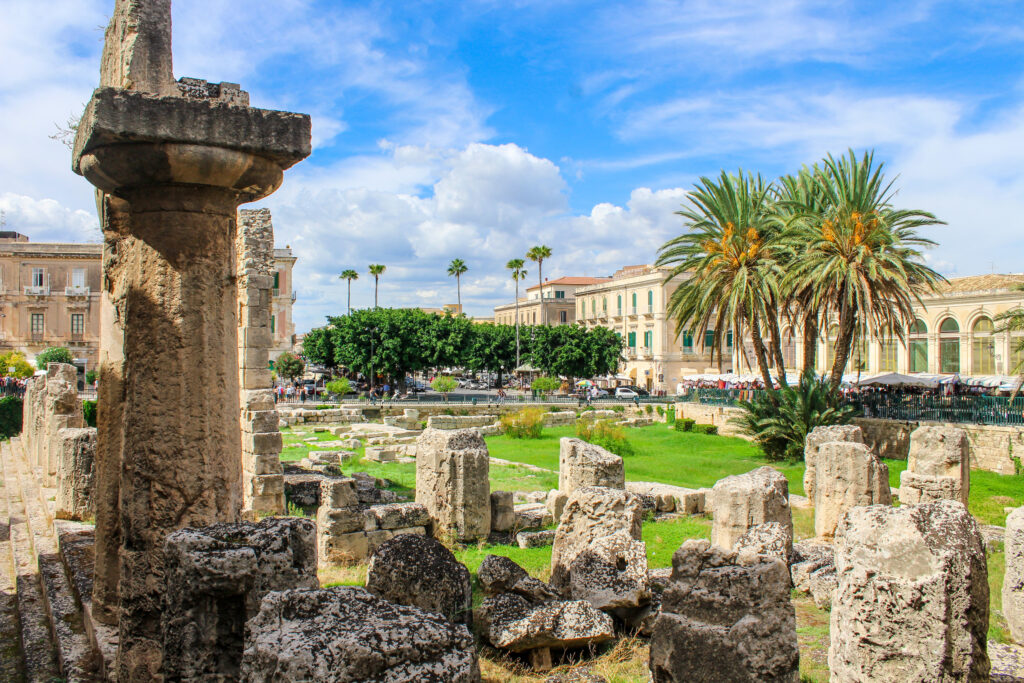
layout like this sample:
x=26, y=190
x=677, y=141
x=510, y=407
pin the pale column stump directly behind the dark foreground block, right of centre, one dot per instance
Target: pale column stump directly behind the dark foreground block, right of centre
x=743, y=501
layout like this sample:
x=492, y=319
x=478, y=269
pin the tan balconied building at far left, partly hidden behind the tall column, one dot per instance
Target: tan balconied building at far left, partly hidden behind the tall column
x=50, y=296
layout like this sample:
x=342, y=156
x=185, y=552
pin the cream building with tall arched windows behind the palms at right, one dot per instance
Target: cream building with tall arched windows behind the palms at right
x=954, y=333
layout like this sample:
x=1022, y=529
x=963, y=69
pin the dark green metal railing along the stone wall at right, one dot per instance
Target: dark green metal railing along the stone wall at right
x=979, y=410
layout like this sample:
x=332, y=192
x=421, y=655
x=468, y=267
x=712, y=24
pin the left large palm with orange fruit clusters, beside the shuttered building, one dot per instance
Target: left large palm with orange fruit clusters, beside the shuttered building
x=729, y=257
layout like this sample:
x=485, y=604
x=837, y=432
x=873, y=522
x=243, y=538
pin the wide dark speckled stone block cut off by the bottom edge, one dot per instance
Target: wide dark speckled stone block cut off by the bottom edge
x=350, y=635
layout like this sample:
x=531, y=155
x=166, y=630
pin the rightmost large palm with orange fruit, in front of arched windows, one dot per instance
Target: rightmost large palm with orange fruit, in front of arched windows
x=862, y=259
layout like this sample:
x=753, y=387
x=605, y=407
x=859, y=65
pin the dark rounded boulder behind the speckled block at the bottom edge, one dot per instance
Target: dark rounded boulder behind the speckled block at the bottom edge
x=419, y=572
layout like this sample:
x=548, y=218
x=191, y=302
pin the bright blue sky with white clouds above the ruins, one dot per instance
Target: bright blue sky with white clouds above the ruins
x=480, y=129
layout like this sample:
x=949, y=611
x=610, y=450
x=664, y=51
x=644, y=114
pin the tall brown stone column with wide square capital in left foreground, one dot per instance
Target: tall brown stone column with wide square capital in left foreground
x=184, y=157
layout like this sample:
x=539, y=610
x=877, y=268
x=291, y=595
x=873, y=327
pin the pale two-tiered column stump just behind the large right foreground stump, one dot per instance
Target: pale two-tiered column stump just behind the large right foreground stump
x=938, y=466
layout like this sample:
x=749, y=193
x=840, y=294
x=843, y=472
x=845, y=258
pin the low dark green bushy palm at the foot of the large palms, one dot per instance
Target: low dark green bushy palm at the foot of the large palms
x=782, y=426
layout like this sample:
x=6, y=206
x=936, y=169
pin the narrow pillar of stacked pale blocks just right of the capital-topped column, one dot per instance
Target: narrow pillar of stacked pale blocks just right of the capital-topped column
x=263, y=476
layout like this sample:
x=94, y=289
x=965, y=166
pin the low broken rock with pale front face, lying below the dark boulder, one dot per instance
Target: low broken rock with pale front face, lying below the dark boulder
x=514, y=623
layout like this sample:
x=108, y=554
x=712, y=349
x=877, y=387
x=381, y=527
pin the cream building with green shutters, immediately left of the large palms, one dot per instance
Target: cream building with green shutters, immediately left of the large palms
x=634, y=303
